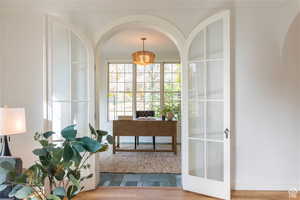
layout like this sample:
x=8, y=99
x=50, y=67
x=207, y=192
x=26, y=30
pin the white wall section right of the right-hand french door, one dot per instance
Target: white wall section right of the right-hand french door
x=266, y=136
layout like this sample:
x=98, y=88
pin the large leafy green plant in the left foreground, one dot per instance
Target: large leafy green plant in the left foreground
x=60, y=166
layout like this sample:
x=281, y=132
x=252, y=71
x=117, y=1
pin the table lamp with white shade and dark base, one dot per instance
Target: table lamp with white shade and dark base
x=12, y=121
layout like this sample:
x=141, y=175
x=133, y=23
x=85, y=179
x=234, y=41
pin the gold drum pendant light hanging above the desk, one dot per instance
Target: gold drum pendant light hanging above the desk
x=143, y=57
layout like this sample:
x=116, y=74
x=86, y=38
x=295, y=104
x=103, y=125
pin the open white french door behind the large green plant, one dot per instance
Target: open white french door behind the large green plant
x=69, y=91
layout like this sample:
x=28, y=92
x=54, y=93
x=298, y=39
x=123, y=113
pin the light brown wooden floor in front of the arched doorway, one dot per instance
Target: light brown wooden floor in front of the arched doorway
x=131, y=193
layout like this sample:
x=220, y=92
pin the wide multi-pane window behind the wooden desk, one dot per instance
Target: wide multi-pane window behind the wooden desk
x=137, y=88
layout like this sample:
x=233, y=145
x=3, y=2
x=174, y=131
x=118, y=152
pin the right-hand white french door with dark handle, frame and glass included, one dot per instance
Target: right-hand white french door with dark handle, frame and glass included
x=206, y=141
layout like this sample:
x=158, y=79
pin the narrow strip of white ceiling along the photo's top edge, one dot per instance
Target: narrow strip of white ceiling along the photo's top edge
x=129, y=4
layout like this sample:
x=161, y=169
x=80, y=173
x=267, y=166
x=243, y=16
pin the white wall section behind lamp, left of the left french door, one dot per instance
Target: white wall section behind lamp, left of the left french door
x=22, y=78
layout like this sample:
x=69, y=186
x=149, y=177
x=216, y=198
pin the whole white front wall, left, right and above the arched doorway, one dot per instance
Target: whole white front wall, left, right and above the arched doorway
x=265, y=119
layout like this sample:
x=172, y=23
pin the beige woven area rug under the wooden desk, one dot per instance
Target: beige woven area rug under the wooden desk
x=141, y=162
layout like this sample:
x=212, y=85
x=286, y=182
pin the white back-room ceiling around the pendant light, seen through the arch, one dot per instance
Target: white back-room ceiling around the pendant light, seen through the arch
x=125, y=42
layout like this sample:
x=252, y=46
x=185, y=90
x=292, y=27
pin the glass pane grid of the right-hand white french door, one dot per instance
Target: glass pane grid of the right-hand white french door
x=206, y=88
